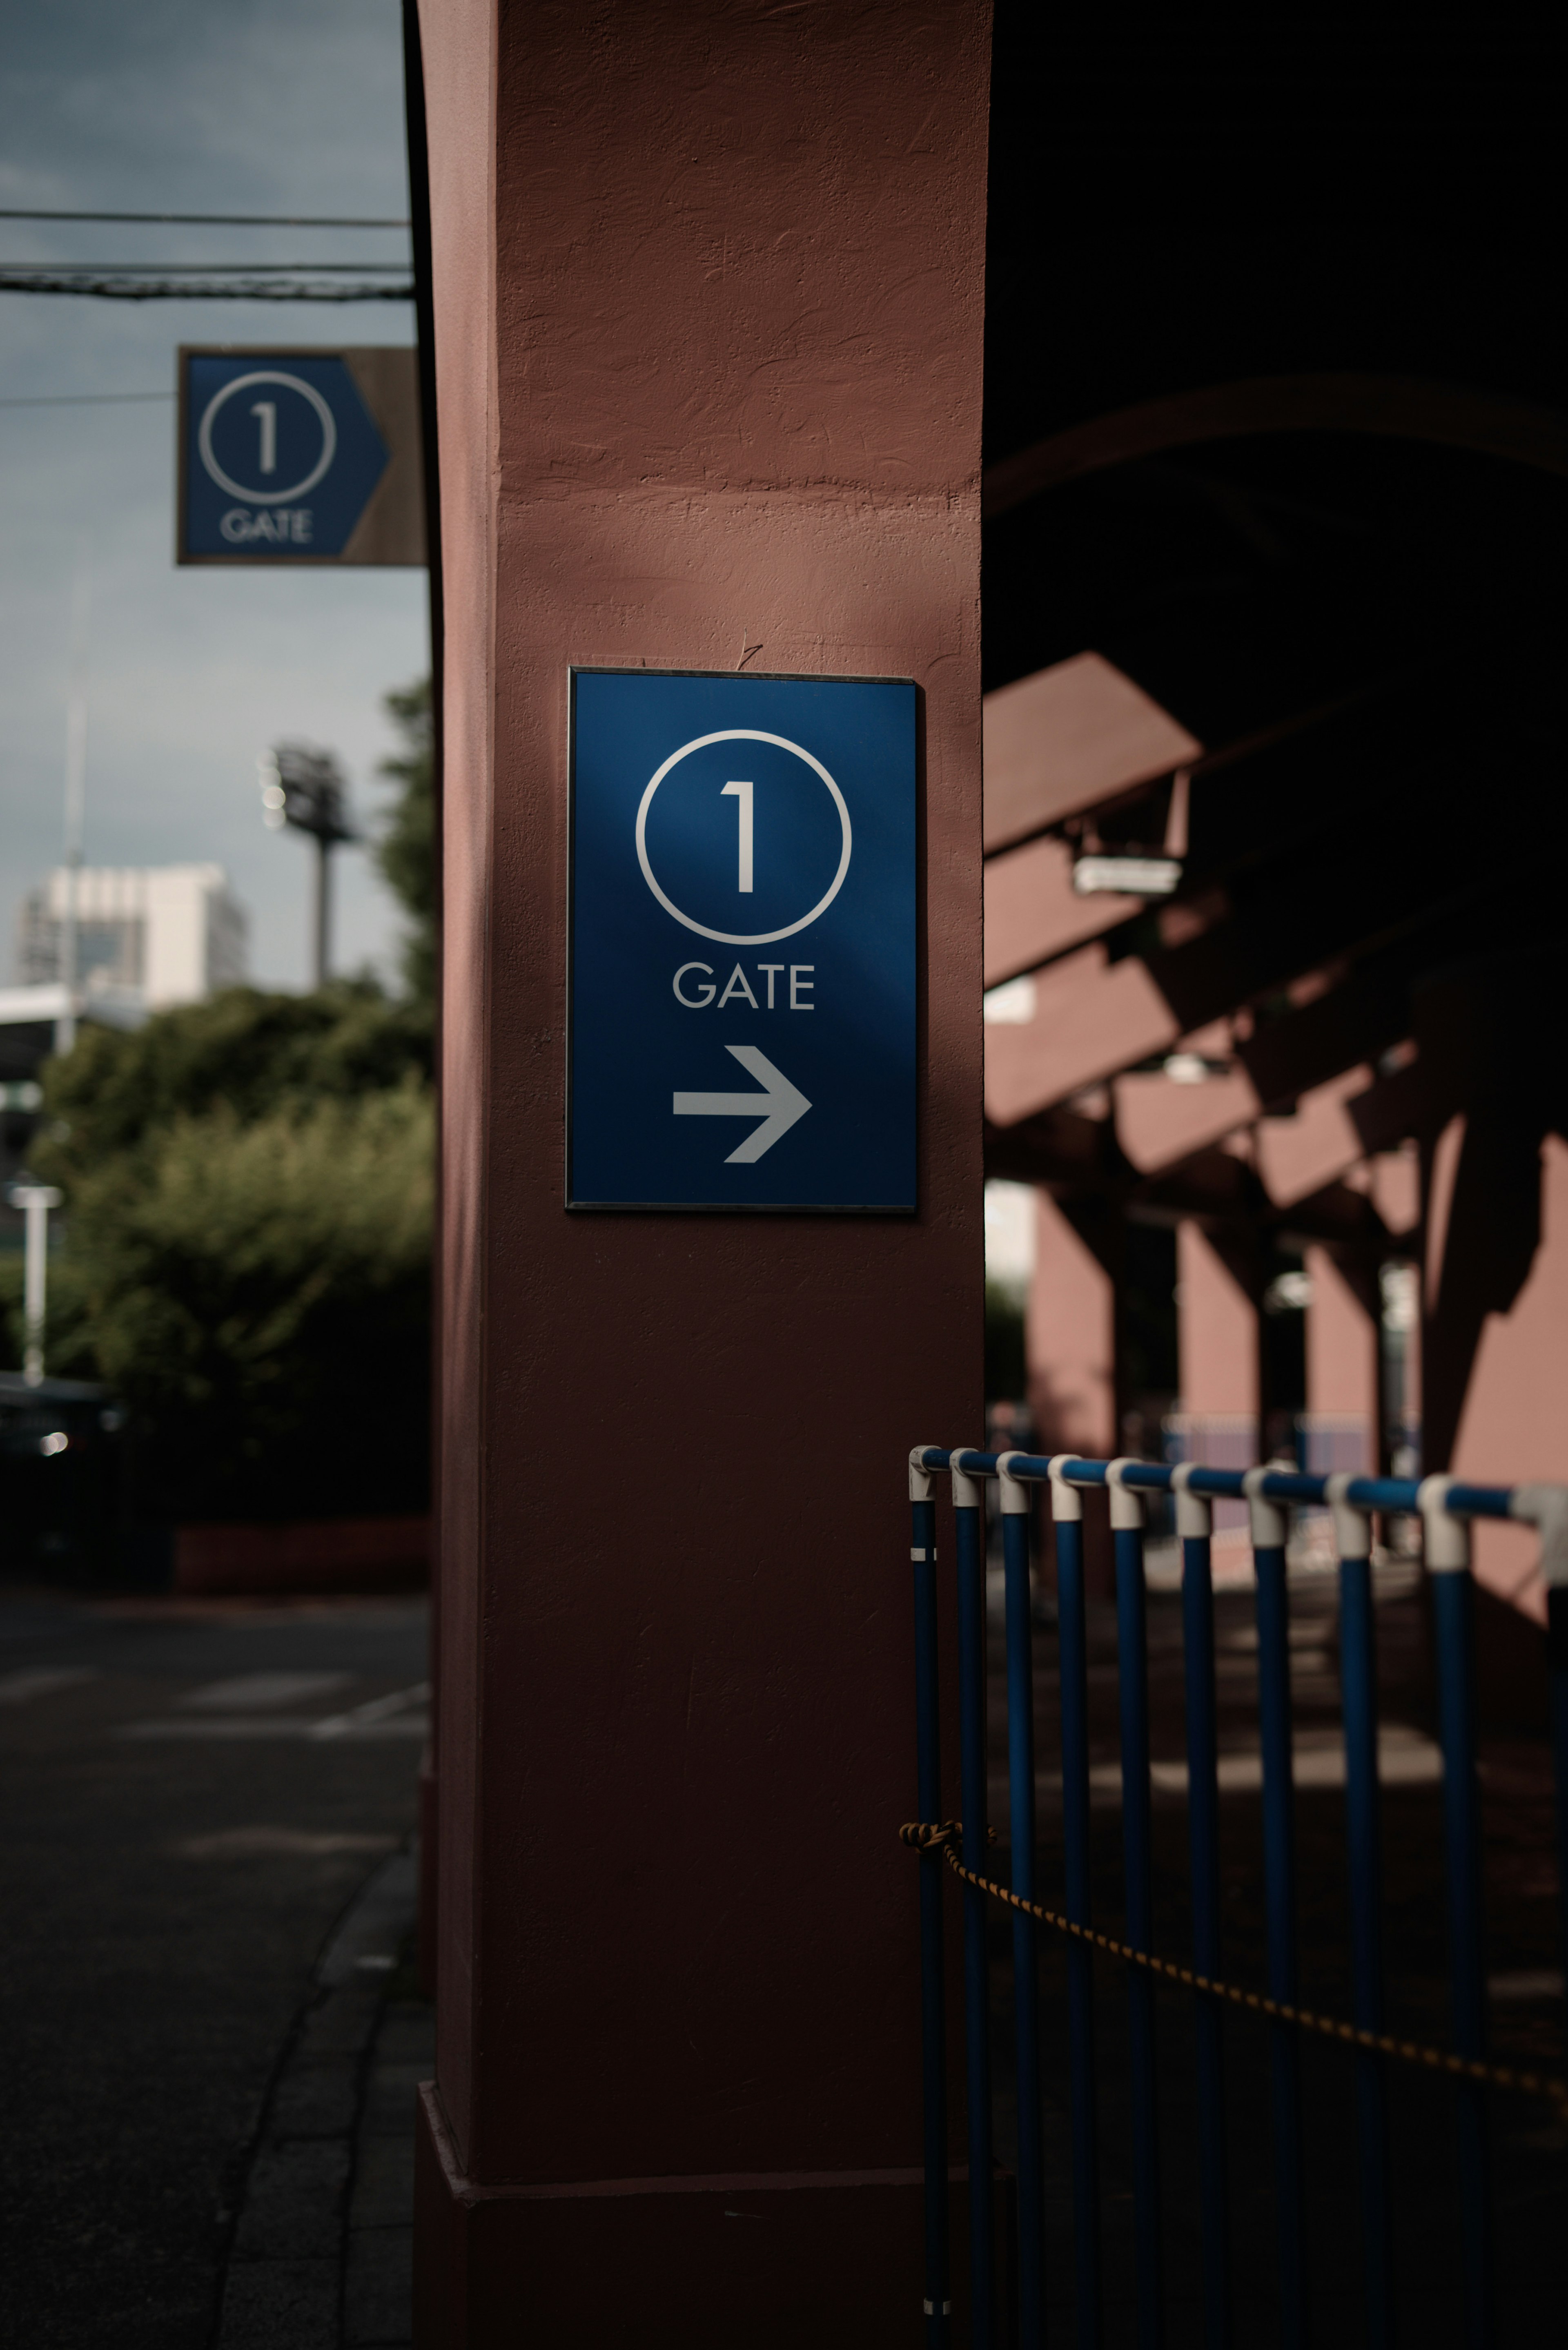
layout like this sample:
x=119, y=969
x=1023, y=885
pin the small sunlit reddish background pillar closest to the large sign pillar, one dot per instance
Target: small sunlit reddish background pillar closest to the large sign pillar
x=1071, y=1341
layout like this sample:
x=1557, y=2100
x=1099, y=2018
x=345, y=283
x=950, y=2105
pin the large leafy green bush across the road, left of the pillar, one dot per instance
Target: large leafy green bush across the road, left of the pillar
x=248, y=1249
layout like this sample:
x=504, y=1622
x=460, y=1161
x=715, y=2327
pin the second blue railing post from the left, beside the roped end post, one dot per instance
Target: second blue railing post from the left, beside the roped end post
x=970, y=1547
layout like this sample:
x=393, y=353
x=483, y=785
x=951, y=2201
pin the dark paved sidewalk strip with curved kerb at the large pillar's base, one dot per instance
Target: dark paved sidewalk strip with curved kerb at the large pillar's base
x=323, y=2241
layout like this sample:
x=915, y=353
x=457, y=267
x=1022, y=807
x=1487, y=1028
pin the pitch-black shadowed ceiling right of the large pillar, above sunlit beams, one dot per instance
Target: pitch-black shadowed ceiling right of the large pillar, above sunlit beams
x=1367, y=629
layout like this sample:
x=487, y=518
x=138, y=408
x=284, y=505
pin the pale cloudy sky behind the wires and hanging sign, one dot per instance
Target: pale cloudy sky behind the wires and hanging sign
x=187, y=107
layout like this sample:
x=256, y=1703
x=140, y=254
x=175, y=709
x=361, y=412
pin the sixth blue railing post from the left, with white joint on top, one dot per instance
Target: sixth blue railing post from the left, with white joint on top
x=1195, y=1531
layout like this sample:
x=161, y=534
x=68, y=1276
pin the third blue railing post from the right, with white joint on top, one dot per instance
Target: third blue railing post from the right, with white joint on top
x=1365, y=1841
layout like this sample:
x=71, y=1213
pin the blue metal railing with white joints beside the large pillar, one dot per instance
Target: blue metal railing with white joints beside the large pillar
x=1445, y=1510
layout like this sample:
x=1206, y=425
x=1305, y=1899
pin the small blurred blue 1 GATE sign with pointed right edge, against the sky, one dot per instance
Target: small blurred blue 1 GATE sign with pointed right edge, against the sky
x=279, y=457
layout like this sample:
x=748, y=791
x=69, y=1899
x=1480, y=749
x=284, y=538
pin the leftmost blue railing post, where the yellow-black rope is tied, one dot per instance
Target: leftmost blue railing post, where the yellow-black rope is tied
x=932, y=1966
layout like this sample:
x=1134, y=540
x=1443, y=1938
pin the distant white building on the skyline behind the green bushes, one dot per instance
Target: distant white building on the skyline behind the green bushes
x=145, y=934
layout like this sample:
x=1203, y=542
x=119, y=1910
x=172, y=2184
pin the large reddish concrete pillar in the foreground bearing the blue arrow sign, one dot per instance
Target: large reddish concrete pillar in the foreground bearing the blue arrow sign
x=709, y=337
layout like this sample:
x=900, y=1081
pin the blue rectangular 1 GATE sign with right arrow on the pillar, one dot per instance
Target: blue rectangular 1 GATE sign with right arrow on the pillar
x=742, y=944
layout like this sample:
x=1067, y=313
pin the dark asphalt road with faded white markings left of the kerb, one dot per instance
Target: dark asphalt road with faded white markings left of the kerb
x=189, y=1797
